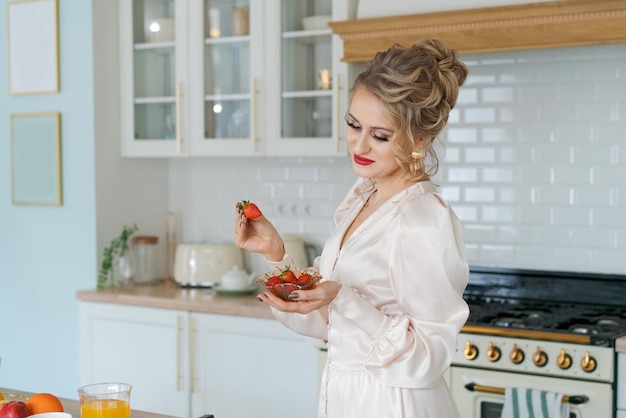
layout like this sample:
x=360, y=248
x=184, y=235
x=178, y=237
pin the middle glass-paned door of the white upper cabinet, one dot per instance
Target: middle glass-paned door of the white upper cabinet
x=225, y=103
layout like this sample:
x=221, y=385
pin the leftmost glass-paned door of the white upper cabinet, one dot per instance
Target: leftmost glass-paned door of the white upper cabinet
x=152, y=34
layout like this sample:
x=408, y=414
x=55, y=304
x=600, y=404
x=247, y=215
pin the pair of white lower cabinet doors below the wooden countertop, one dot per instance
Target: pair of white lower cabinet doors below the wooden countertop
x=191, y=364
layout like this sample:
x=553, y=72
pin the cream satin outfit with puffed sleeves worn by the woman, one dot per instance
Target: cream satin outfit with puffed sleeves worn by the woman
x=392, y=328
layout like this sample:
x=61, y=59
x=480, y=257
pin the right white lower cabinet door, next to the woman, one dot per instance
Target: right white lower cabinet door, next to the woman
x=251, y=367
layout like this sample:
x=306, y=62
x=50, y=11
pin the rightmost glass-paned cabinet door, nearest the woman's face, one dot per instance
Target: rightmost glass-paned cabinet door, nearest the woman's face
x=304, y=81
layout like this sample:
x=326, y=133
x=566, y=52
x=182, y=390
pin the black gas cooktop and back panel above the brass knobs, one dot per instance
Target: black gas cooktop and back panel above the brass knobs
x=560, y=305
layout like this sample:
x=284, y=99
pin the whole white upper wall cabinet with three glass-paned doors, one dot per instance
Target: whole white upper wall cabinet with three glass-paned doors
x=232, y=78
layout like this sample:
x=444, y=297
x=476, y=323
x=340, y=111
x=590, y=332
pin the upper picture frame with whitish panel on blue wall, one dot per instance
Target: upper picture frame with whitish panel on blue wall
x=33, y=46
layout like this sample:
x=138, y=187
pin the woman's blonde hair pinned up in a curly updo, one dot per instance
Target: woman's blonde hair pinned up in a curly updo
x=419, y=86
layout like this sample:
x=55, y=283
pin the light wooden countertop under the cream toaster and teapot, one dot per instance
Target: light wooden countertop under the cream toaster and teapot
x=169, y=295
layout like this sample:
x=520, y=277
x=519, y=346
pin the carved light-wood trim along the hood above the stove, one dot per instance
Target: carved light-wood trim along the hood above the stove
x=554, y=24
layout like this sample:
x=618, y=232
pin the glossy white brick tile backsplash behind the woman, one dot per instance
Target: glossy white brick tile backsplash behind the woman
x=534, y=166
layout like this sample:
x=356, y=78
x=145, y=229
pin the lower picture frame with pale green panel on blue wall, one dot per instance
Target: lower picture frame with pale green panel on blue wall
x=36, y=159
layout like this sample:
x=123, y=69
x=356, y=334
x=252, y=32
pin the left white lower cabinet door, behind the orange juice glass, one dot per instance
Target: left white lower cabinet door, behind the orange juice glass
x=145, y=347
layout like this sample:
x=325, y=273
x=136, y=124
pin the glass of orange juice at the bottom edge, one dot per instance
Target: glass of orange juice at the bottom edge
x=105, y=400
